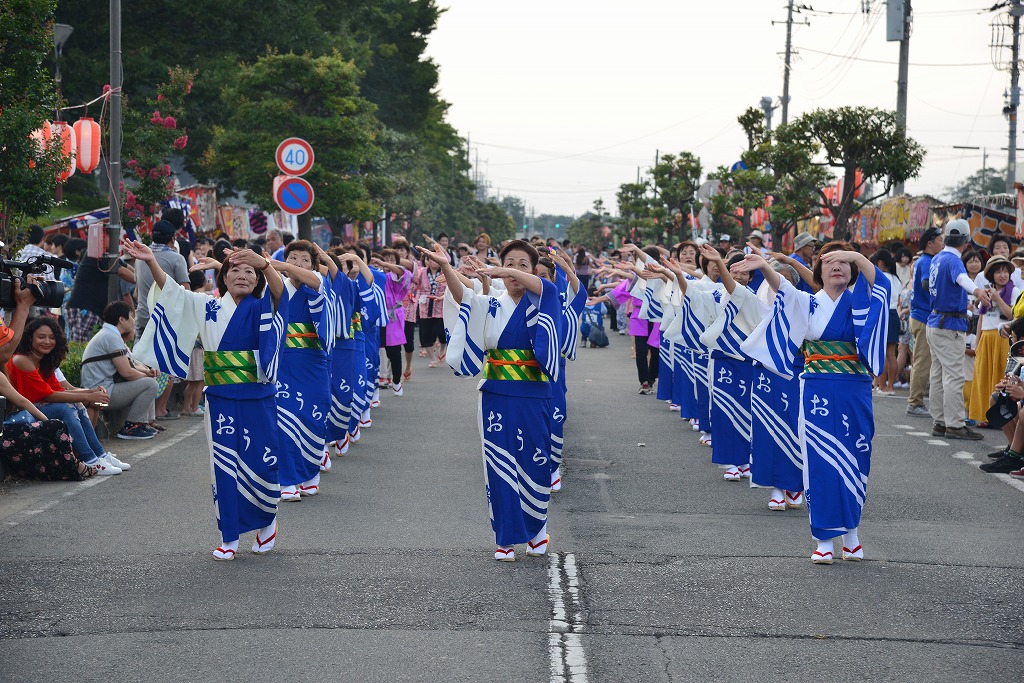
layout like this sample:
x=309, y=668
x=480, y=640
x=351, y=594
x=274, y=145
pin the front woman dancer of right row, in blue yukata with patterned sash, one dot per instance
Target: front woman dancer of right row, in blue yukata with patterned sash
x=842, y=335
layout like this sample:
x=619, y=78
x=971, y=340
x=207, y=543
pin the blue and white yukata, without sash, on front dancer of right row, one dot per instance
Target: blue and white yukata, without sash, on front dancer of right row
x=837, y=421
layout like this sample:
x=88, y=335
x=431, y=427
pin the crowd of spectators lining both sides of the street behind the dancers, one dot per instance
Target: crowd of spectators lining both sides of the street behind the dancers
x=952, y=322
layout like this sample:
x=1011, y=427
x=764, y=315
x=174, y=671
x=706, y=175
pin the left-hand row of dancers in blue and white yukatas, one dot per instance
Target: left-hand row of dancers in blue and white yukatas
x=291, y=362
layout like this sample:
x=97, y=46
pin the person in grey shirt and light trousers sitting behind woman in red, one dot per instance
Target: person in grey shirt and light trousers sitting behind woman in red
x=107, y=364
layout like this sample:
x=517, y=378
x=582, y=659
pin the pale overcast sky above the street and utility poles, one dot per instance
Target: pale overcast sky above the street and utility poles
x=565, y=99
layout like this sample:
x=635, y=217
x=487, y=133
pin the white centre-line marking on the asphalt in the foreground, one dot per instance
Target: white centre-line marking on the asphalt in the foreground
x=569, y=663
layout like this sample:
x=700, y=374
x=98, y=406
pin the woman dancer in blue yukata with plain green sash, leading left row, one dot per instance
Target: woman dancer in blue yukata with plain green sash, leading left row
x=243, y=333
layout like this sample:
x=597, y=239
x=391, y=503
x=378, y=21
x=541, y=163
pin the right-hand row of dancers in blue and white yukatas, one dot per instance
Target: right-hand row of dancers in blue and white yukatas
x=772, y=362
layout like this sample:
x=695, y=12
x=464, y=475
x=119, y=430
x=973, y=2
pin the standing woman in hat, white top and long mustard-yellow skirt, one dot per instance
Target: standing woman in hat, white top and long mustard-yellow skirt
x=991, y=357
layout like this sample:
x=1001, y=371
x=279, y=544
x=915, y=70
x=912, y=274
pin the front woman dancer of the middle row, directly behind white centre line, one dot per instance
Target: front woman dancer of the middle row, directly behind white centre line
x=515, y=339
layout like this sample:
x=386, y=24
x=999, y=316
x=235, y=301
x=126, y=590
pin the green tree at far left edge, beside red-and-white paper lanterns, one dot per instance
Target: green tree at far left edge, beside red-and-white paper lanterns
x=28, y=98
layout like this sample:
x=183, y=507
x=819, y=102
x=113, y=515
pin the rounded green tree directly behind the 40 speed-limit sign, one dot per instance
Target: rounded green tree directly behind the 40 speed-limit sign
x=317, y=99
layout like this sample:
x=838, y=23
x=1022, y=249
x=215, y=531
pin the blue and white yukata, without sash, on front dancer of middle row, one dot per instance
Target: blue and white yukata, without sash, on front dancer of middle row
x=514, y=414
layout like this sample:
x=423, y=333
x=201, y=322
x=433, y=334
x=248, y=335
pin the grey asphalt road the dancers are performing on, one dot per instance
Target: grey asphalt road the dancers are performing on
x=660, y=571
